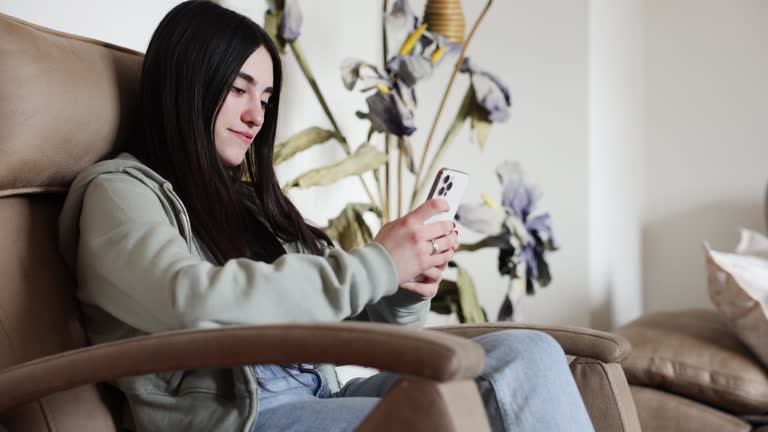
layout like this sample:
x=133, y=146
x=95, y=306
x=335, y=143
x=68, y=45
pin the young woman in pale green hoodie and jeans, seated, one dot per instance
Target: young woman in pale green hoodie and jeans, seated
x=168, y=237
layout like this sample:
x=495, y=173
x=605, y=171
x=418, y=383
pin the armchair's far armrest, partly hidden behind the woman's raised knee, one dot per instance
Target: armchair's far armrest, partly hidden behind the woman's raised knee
x=576, y=341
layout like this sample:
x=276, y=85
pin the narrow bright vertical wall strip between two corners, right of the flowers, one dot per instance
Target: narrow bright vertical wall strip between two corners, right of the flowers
x=616, y=176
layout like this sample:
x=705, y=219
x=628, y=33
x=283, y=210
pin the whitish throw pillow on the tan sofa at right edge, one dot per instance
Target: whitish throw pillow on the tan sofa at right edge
x=738, y=287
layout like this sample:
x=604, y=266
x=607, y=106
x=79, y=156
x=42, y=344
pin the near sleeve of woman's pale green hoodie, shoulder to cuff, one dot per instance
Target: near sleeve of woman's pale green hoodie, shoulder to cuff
x=133, y=263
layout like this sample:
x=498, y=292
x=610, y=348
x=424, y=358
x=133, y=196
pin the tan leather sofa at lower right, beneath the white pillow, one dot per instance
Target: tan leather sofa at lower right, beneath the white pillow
x=690, y=372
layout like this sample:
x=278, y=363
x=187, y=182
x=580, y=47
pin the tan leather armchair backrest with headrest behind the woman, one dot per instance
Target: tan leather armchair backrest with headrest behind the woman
x=65, y=103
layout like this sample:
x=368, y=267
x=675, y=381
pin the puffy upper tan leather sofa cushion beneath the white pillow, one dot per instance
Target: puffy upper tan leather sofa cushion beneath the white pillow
x=695, y=354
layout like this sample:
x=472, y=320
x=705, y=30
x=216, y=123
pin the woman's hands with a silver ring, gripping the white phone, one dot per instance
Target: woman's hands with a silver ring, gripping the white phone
x=410, y=244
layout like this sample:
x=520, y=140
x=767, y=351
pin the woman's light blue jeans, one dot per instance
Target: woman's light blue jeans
x=526, y=385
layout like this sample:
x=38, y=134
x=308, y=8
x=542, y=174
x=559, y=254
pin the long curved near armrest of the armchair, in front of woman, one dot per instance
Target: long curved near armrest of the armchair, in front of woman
x=438, y=357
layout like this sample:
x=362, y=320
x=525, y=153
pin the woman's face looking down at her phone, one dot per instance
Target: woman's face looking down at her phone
x=242, y=113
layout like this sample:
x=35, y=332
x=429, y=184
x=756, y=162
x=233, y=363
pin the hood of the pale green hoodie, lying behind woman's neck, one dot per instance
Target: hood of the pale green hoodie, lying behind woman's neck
x=124, y=163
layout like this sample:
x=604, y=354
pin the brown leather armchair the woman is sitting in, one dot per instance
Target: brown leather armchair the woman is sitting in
x=66, y=102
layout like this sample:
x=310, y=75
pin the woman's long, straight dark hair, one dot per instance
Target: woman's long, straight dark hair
x=192, y=61
